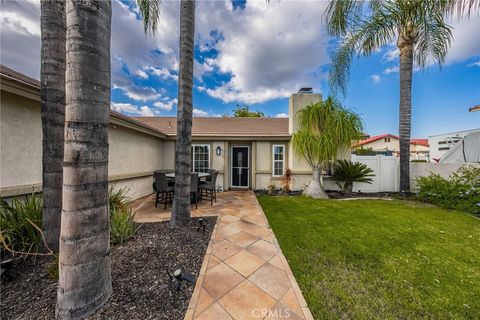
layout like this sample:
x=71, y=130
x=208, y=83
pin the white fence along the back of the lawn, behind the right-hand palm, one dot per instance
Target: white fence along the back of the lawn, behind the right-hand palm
x=387, y=172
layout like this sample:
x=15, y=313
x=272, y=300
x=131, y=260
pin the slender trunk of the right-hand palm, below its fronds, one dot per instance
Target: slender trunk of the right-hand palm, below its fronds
x=406, y=69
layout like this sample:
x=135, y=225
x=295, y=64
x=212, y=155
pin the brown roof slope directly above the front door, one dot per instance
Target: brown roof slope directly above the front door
x=222, y=127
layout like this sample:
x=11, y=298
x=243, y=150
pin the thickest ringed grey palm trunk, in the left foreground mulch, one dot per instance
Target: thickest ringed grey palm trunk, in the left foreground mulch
x=84, y=262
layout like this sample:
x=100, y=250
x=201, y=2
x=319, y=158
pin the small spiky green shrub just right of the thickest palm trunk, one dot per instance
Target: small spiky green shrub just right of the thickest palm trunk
x=122, y=226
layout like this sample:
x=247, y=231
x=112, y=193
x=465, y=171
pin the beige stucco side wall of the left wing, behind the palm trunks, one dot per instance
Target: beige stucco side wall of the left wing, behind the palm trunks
x=133, y=156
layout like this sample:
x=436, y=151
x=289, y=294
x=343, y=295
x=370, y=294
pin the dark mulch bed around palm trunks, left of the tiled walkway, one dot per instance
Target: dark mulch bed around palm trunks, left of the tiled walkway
x=141, y=286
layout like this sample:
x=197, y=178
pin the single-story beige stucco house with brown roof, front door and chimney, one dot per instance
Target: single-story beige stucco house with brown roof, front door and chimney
x=249, y=153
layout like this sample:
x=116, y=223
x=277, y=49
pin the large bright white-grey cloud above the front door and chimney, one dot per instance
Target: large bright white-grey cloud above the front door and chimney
x=269, y=50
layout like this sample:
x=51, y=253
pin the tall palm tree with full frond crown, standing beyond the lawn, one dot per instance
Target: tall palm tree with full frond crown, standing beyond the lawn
x=422, y=36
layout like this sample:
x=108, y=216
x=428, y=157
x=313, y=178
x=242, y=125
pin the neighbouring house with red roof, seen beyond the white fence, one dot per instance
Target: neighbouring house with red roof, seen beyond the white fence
x=419, y=148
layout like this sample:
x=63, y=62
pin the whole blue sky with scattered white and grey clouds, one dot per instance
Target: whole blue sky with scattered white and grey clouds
x=258, y=54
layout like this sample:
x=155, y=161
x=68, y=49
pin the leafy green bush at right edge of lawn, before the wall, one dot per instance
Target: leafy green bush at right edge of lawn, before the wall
x=461, y=191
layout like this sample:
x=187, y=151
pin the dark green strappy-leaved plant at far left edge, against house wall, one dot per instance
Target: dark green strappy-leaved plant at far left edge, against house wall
x=20, y=222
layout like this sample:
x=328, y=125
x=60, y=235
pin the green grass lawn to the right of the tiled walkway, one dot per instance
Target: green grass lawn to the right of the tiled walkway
x=380, y=259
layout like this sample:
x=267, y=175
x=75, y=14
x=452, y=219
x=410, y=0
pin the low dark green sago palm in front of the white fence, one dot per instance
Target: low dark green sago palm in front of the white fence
x=349, y=172
